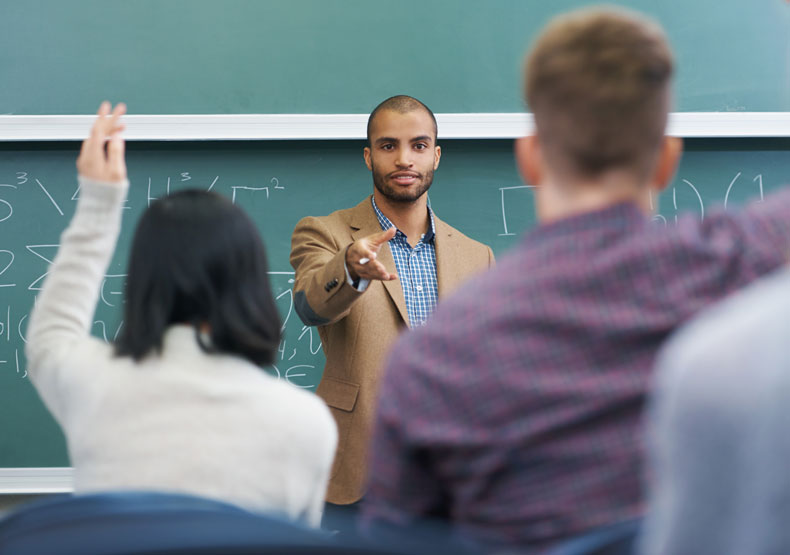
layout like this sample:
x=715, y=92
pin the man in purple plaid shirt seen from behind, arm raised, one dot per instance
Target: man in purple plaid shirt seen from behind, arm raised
x=515, y=413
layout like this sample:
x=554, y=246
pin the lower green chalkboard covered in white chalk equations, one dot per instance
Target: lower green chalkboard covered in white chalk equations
x=476, y=189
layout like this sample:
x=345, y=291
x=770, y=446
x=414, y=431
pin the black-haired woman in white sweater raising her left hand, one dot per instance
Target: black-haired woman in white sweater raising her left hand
x=179, y=403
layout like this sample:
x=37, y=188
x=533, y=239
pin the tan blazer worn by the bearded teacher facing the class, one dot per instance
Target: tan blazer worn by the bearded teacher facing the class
x=357, y=329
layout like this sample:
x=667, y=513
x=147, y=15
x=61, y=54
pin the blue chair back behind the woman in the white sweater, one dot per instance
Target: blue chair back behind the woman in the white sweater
x=147, y=523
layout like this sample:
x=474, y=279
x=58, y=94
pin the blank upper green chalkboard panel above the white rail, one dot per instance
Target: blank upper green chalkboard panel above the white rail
x=344, y=56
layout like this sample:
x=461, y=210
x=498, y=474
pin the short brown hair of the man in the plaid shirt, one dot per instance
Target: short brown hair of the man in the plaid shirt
x=598, y=83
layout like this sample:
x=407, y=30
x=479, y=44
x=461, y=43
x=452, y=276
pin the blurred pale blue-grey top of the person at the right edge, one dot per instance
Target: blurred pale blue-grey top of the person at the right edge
x=719, y=429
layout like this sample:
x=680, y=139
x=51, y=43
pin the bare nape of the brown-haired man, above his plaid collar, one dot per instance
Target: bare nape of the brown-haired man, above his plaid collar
x=560, y=199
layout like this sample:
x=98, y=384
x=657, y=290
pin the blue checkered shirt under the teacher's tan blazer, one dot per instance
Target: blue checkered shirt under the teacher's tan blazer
x=416, y=269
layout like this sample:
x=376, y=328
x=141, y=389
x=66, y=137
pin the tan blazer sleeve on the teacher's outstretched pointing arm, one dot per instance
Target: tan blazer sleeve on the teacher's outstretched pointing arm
x=322, y=294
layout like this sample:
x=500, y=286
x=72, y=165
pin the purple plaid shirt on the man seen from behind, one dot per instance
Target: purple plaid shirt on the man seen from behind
x=516, y=412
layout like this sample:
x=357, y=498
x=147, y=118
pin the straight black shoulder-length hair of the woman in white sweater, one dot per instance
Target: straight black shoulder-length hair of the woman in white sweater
x=198, y=259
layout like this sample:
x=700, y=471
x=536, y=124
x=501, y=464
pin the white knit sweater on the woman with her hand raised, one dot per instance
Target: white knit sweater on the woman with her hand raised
x=185, y=421
